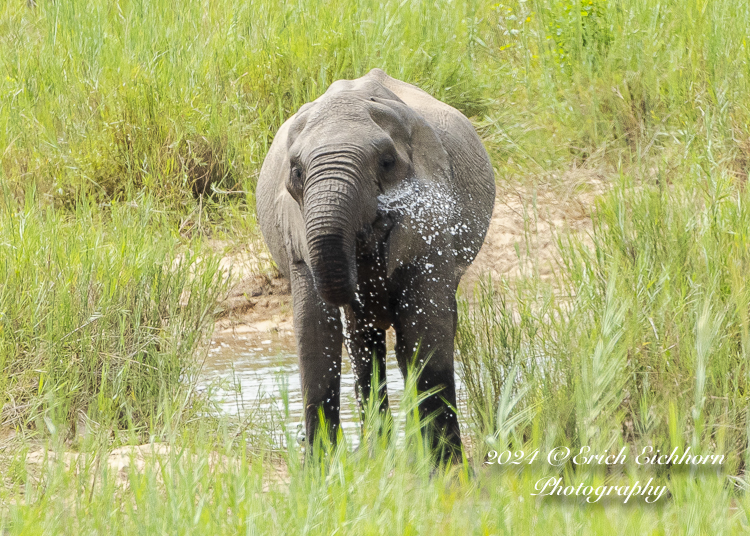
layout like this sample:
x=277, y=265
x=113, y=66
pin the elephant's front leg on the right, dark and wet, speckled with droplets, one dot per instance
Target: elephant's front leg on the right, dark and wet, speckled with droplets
x=426, y=321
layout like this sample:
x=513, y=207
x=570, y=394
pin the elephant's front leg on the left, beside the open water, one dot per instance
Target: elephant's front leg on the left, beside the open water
x=317, y=327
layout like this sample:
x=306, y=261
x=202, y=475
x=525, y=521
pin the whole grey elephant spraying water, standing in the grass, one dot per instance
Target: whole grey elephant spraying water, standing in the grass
x=373, y=200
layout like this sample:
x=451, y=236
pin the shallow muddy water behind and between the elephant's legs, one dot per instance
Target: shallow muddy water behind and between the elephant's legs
x=247, y=372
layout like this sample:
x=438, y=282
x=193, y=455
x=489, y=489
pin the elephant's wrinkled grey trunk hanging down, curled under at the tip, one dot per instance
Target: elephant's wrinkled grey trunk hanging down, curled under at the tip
x=331, y=221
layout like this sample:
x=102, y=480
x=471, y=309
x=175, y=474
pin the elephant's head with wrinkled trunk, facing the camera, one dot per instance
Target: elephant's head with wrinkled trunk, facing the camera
x=355, y=143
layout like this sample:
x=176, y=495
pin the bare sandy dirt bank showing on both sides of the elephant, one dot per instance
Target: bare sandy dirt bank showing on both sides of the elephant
x=520, y=239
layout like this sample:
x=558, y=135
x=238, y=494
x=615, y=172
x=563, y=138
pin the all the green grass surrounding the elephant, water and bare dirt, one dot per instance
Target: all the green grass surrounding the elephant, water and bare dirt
x=132, y=131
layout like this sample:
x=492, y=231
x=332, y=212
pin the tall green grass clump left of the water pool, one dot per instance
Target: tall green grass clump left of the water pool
x=100, y=312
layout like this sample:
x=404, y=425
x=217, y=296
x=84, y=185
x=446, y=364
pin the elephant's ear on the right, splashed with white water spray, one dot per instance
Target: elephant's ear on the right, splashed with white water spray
x=419, y=225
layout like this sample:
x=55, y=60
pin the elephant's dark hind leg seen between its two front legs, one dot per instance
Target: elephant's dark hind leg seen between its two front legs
x=366, y=346
